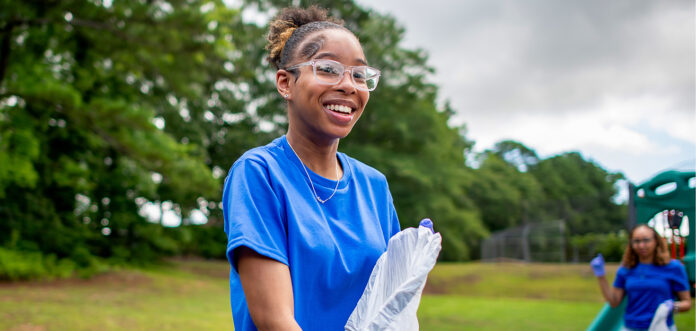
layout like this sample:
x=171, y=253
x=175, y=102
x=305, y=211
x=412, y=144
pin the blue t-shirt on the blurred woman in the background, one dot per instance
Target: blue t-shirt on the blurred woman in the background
x=647, y=286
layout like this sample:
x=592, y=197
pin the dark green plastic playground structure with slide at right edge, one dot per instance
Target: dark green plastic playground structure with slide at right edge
x=672, y=196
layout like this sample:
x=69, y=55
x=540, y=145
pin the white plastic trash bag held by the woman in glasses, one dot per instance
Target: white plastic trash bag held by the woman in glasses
x=390, y=300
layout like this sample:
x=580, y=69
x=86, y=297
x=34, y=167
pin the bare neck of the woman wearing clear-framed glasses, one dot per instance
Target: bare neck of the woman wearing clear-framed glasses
x=318, y=156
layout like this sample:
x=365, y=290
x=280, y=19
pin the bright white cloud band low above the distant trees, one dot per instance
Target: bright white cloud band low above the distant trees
x=617, y=125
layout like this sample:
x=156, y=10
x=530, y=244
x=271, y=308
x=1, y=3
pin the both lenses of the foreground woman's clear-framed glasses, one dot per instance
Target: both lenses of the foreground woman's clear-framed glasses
x=331, y=72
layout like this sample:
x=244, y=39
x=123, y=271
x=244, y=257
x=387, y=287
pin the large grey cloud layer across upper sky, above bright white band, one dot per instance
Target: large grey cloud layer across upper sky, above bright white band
x=553, y=56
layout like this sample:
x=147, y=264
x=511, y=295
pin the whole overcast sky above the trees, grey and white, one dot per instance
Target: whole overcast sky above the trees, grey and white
x=611, y=79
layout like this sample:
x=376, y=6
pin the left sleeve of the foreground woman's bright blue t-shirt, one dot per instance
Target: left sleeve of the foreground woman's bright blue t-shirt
x=253, y=212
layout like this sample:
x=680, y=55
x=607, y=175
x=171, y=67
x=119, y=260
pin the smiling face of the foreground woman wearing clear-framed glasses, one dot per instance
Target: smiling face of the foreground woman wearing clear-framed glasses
x=322, y=112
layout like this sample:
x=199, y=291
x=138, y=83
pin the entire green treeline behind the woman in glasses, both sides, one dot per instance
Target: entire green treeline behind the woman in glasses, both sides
x=106, y=107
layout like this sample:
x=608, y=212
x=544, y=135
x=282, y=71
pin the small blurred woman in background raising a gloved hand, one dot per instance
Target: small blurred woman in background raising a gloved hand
x=648, y=276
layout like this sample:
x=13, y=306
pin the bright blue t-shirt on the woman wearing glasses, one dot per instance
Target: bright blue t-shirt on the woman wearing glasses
x=330, y=248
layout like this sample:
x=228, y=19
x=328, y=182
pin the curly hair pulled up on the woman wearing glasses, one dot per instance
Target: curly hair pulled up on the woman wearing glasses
x=291, y=26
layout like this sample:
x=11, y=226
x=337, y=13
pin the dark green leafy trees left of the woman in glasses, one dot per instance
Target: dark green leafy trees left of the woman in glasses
x=89, y=96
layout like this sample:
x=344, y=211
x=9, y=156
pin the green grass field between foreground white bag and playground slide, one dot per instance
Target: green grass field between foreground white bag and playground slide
x=515, y=296
